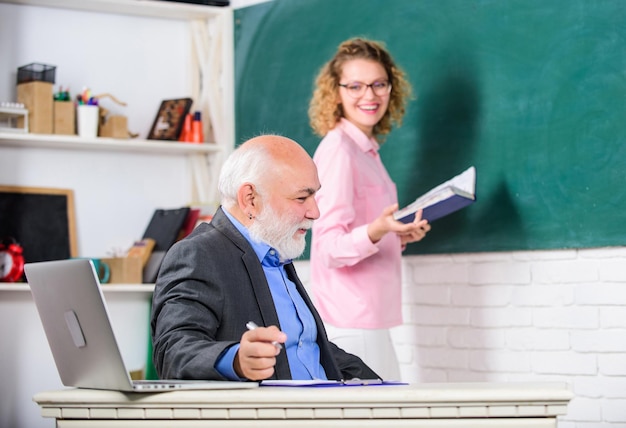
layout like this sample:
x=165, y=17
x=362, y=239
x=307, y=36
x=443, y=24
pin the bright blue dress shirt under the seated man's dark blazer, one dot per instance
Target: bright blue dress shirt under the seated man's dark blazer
x=302, y=350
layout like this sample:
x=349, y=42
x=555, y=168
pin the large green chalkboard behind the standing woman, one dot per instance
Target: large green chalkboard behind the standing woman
x=531, y=92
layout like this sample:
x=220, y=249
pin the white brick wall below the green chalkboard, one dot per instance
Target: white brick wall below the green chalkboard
x=520, y=316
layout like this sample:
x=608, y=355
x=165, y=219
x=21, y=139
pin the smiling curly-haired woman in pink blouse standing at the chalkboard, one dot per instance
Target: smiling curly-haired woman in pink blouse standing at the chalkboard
x=357, y=245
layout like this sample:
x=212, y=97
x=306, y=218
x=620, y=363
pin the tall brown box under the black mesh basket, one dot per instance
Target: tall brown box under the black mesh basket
x=37, y=97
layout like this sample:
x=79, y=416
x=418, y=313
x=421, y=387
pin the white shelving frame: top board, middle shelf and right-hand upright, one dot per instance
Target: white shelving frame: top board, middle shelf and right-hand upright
x=213, y=58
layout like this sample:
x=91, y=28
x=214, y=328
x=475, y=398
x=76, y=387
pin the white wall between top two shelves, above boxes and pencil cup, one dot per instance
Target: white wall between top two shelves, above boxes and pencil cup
x=141, y=61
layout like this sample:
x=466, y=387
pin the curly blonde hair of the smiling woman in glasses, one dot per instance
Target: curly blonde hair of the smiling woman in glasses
x=325, y=112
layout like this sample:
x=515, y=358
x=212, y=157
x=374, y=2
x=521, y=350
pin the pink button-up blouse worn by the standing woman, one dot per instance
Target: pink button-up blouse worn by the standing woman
x=355, y=283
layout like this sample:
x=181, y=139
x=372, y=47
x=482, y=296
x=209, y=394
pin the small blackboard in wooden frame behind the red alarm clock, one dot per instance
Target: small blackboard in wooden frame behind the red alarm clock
x=42, y=220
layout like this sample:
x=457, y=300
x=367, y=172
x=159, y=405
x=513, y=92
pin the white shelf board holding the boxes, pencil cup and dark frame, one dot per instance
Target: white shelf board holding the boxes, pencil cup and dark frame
x=73, y=142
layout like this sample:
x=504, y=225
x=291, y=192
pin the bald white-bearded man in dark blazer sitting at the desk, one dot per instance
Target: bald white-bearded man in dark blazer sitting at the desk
x=238, y=269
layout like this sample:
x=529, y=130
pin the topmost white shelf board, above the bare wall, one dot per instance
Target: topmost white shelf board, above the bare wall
x=148, y=8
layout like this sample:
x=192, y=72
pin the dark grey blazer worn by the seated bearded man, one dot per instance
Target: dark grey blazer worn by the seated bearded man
x=209, y=286
